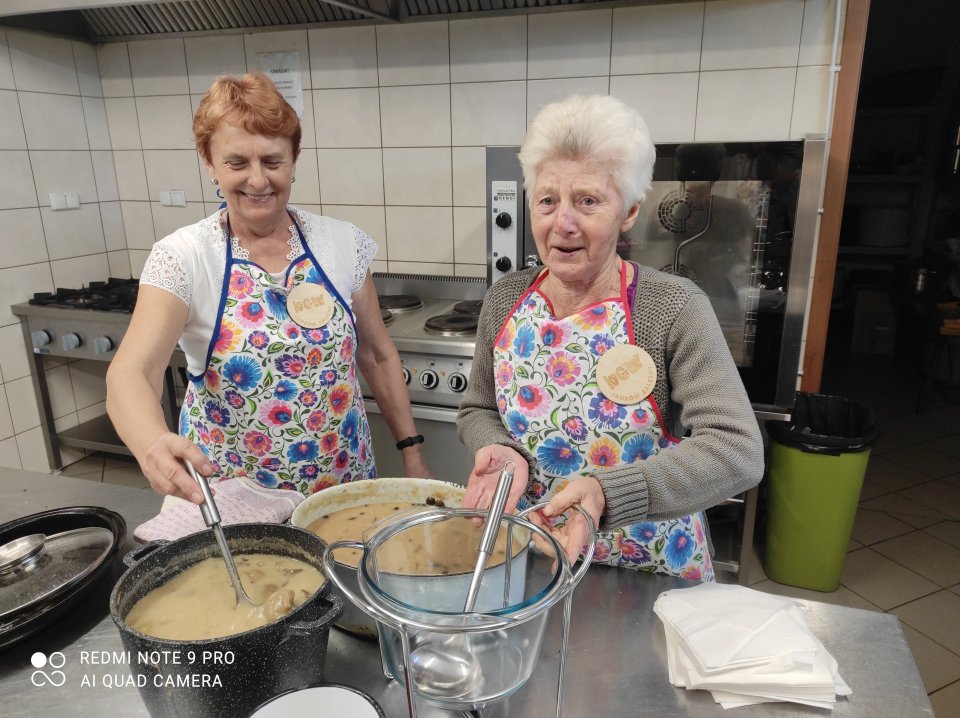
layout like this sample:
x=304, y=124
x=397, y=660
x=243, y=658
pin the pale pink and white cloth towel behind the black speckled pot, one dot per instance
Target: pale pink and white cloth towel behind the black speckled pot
x=239, y=501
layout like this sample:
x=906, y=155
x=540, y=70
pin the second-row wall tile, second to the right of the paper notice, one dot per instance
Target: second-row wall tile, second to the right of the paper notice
x=415, y=115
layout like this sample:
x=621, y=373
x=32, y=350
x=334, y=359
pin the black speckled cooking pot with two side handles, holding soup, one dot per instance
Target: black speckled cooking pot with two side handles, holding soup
x=227, y=676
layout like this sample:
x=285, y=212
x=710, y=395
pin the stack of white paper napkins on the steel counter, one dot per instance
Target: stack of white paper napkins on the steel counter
x=745, y=647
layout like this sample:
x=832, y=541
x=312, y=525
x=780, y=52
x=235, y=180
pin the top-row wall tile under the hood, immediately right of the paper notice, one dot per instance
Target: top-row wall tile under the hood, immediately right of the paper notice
x=343, y=57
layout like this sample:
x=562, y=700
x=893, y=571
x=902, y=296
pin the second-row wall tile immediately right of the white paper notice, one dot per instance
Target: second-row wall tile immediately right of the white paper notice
x=347, y=118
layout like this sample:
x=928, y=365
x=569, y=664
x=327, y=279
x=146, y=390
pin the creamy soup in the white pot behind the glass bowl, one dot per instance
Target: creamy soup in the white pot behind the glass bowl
x=435, y=548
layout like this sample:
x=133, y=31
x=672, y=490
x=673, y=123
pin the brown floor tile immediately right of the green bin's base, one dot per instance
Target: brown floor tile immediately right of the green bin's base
x=883, y=582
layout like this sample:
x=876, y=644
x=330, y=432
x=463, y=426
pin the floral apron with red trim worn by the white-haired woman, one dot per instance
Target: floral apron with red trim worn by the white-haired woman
x=549, y=401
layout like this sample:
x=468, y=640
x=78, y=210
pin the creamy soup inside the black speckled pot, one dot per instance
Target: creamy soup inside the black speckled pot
x=200, y=602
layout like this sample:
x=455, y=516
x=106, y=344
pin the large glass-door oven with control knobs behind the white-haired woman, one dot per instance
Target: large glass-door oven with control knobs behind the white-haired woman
x=739, y=219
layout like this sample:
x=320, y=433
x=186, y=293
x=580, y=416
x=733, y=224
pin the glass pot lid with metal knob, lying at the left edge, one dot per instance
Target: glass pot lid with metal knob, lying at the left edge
x=36, y=567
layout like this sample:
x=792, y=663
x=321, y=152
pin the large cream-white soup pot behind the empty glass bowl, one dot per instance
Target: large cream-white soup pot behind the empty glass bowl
x=372, y=491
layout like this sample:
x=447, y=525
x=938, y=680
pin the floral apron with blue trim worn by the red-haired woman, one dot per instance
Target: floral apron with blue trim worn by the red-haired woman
x=279, y=402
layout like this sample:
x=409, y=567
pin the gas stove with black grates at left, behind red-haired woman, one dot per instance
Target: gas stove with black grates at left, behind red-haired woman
x=74, y=324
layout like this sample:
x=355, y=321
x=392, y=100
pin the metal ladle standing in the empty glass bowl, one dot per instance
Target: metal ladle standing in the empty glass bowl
x=446, y=667
